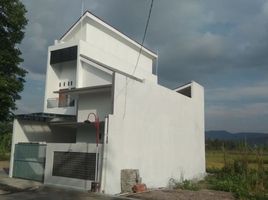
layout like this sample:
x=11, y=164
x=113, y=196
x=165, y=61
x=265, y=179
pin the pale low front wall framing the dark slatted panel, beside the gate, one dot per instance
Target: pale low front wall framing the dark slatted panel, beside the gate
x=72, y=147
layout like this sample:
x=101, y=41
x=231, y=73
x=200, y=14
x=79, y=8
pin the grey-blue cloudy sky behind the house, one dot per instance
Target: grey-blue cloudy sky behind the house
x=221, y=44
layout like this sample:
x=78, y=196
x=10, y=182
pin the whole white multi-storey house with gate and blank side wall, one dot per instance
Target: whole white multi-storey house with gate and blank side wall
x=97, y=74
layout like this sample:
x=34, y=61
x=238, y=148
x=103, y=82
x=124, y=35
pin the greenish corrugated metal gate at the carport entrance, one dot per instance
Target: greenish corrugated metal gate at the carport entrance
x=29, y=161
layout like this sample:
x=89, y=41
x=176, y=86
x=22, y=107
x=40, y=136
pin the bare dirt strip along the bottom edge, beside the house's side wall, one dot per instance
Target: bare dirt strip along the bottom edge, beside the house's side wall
x=183, y=195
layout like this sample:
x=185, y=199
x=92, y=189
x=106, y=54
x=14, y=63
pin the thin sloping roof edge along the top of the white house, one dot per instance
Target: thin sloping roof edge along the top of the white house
x=96, y=19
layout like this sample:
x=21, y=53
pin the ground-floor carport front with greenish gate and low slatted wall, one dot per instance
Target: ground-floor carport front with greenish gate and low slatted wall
x=56, y=150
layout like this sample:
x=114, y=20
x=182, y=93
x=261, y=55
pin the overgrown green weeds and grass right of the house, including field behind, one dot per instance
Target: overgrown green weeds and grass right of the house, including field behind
x=243, y=172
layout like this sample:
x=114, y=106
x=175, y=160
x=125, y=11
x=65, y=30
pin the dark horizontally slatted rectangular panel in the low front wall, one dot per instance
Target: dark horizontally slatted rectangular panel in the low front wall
x=74, y=165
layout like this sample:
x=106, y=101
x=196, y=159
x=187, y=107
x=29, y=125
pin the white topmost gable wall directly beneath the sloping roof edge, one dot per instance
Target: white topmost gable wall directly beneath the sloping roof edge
x=112, y=43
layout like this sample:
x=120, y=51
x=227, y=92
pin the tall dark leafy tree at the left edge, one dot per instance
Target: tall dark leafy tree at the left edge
x=12, y=24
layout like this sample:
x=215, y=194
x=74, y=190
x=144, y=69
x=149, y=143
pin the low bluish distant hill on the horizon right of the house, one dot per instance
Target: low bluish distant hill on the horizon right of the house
x=251, y=138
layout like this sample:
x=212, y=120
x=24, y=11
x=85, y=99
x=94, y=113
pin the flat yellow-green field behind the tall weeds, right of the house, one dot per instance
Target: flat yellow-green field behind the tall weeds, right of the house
x=215, y=159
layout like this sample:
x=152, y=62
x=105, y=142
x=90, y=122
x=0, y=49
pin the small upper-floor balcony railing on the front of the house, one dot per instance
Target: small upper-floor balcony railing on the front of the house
x=60, y=102
